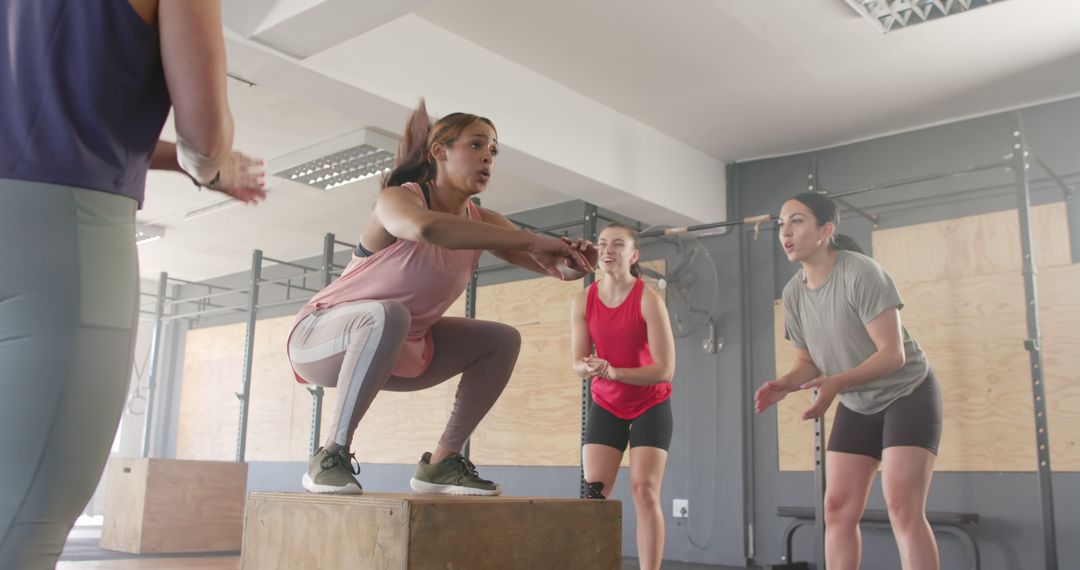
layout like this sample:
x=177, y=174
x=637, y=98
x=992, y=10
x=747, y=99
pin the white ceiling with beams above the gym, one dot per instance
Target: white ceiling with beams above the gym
x=632, y=105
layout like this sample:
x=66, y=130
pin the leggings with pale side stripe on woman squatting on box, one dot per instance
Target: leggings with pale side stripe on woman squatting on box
x=355, y=347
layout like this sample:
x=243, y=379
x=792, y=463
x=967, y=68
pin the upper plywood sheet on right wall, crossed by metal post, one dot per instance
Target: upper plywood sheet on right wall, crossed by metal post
x=975, y=246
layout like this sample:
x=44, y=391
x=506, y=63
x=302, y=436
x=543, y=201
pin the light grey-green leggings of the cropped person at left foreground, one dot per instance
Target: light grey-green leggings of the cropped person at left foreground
x=69, y=308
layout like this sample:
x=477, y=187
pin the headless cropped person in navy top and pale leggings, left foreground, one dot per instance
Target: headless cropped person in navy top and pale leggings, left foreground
x=86, y=88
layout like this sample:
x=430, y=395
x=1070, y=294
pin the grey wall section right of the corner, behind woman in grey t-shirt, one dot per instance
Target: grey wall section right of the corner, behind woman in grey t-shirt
x=1010, y=533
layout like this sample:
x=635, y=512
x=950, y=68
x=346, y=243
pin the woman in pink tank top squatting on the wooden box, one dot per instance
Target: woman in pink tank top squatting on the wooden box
x=381, y=325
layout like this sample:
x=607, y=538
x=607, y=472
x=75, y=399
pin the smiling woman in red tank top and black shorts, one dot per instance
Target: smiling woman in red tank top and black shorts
x=631, y=372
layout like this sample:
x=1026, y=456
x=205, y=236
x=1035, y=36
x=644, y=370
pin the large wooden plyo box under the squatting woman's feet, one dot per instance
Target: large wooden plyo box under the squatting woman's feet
x=384, y=532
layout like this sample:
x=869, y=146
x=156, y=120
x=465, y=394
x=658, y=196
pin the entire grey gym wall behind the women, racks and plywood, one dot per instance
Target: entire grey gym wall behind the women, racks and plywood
x=723, y=458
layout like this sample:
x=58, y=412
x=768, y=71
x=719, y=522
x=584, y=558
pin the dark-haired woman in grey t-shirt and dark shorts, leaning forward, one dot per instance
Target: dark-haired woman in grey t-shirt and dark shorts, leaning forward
x=842, y=313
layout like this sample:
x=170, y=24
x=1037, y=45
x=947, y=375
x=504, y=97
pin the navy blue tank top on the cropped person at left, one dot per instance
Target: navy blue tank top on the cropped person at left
x=83, y=94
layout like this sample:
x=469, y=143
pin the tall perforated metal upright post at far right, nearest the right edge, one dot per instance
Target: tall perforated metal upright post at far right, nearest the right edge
x=1033, y=344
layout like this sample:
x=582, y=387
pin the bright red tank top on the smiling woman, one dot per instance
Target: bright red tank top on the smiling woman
x=623, y=340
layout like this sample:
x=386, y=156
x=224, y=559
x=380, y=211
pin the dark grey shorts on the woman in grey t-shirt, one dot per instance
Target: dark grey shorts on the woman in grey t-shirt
x=913, y=420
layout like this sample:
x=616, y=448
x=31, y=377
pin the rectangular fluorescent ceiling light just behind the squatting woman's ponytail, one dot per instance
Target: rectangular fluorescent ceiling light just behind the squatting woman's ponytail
x=341, y=161
